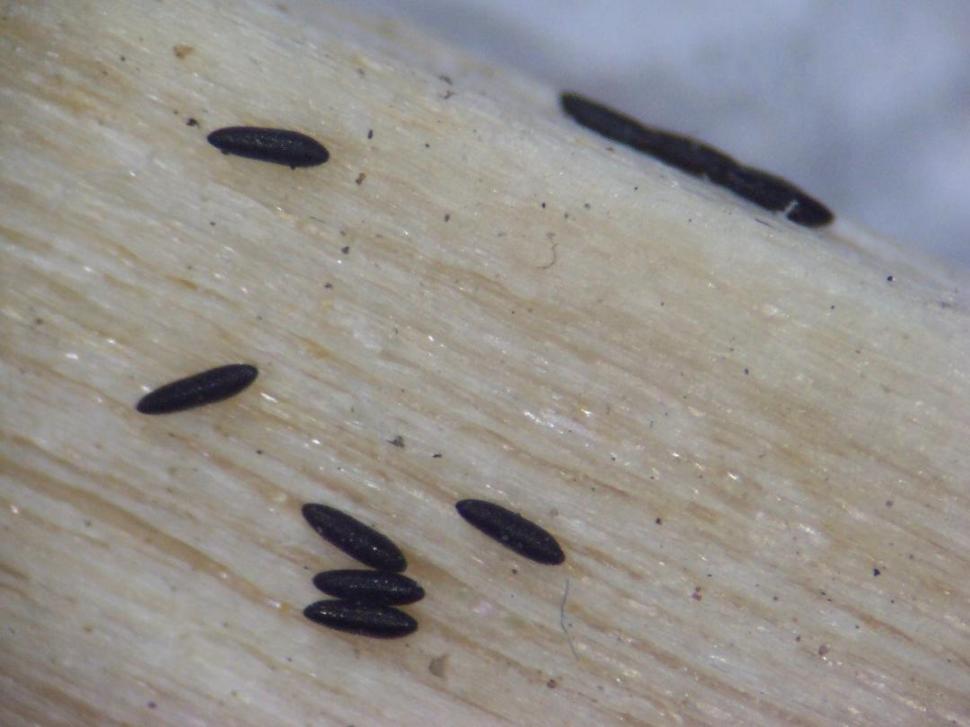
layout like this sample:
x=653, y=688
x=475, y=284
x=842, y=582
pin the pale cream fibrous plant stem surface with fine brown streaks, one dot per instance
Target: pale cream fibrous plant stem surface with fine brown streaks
x=748, y=437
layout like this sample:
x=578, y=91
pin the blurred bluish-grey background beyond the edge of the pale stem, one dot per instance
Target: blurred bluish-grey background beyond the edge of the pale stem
x=865, y=104
